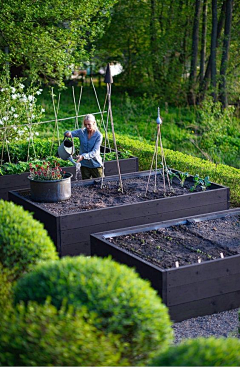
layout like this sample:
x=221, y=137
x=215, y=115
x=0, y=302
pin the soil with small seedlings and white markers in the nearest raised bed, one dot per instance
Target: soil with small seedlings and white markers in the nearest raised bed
x=187, y=244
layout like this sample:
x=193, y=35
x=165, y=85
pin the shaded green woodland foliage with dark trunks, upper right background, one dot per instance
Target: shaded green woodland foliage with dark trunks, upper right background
x=163, y=46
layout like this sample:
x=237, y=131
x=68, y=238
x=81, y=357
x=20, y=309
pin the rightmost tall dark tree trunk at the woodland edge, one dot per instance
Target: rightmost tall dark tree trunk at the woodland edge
x=225, y=52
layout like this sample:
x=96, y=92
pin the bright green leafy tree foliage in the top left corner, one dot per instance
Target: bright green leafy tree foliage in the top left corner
x=44, y=38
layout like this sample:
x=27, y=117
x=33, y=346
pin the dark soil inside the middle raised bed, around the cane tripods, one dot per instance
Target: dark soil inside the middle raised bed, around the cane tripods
x=94, y=196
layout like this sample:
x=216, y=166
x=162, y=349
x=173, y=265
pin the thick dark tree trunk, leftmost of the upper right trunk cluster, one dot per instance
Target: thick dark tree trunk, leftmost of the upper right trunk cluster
x=195, y=39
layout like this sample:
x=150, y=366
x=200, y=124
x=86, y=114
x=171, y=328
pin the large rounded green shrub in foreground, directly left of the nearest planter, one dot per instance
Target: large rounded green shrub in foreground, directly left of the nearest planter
x=124, y=303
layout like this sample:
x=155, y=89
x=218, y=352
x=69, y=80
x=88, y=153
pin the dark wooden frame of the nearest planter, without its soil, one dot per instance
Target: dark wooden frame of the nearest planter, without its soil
x=188, y=291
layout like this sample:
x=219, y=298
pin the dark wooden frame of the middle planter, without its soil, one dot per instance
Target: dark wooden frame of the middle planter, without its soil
x=71, y=232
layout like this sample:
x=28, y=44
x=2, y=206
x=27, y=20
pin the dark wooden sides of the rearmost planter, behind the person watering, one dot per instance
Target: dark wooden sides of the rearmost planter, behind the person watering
x=20, y=181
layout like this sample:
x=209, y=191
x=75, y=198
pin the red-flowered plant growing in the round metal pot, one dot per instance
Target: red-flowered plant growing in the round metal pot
x=46, y=171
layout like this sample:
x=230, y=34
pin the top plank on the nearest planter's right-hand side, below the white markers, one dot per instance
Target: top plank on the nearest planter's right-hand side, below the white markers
x=204, y=271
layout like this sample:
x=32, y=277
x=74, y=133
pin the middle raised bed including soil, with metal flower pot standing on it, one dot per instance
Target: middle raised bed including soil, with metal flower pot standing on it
x=92, y=209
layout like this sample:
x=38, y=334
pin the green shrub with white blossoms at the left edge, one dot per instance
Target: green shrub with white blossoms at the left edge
x=18, y=110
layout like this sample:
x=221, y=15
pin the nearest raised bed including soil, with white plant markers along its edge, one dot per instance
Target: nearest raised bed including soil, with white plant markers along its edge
x=191, y=290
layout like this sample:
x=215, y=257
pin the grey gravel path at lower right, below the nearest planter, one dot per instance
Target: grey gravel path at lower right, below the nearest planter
x=223, y=324
